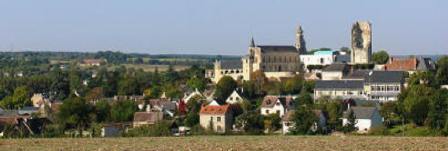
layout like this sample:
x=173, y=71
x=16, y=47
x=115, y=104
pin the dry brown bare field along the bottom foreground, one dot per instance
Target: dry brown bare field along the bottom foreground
x=218, y=143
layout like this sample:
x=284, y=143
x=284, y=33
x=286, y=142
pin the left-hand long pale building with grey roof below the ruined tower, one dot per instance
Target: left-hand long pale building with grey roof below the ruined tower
x=339, y=89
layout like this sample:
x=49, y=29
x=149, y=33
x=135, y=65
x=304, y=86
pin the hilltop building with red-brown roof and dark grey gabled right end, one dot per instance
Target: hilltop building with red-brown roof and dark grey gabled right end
x=410, y=64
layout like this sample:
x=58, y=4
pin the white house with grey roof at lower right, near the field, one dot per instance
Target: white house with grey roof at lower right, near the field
x=365, y=118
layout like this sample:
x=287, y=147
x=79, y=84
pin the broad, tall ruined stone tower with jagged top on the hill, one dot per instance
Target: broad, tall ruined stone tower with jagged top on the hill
x=361, y=42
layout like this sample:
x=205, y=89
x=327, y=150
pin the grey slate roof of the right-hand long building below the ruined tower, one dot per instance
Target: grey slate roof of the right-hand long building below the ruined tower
x=385, y=77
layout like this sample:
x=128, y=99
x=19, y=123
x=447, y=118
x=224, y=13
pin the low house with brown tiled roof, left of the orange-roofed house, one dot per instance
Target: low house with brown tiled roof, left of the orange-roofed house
x=146, y=118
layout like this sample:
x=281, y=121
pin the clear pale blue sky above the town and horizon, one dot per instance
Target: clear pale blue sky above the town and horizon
x=218, y=26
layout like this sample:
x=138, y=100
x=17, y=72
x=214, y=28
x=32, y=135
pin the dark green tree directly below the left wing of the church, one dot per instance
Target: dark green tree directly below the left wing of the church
x=224, y=88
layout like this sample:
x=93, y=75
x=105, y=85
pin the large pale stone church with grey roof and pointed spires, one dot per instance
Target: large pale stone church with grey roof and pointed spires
x=275, y=61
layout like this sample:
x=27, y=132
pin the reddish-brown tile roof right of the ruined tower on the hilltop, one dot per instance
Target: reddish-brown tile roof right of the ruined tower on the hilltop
x=401, y=64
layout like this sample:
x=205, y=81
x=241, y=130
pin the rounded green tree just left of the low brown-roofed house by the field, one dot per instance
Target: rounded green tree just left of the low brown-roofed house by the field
x=123, y=111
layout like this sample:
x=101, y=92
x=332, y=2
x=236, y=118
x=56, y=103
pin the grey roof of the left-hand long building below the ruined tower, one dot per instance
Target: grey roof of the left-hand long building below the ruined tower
x=339, y=84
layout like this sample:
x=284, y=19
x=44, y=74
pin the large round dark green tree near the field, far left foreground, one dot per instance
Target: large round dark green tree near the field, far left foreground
x=76, y=113
